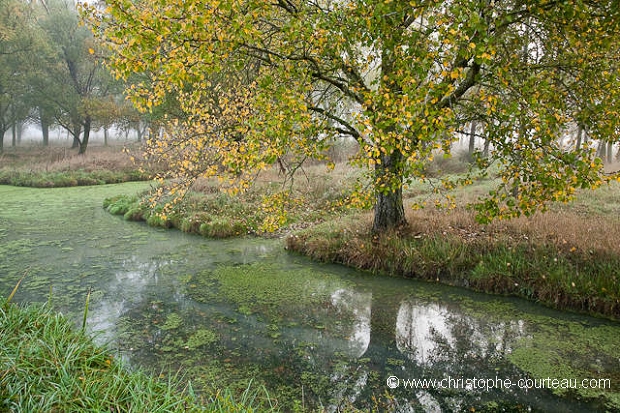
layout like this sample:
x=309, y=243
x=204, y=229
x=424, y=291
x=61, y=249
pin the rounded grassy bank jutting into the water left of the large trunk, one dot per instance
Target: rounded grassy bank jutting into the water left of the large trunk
x=261, y=210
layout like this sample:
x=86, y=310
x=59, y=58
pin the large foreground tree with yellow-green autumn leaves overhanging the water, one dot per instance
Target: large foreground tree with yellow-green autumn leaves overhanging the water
x=401, y=77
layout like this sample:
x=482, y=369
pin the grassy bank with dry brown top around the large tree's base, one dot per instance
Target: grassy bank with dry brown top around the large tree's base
x=561, y=259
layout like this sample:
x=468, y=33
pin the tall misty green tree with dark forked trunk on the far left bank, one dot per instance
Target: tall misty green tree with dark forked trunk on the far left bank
x=71, y=84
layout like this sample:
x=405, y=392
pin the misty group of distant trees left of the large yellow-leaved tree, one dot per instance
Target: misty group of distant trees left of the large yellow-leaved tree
x=51, y=75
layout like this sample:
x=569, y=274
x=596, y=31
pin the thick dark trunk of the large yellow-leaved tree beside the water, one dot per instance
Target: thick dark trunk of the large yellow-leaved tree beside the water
x=389, y=209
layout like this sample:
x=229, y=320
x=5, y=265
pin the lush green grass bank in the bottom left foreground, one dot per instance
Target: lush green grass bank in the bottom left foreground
x=47, y=365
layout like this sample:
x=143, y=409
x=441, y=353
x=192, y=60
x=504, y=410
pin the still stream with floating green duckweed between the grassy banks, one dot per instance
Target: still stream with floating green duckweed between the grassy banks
x=245, y=312
